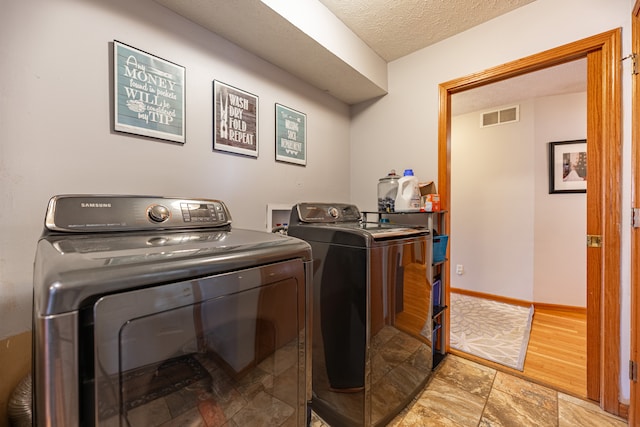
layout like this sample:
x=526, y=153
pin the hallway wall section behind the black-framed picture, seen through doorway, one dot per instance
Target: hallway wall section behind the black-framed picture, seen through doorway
x=560, y=261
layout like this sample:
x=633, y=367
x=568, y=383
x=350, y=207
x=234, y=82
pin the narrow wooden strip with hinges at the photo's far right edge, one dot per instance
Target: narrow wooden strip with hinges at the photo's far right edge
x=634, y=399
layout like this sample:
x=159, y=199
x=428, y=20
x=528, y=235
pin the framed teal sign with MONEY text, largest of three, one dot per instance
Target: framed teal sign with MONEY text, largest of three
x=149, y=94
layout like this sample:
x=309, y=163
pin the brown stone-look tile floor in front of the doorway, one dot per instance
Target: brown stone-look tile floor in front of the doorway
x=462, y=393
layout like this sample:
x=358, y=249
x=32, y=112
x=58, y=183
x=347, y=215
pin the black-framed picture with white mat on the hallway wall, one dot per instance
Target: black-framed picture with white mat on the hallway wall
x=568, y=166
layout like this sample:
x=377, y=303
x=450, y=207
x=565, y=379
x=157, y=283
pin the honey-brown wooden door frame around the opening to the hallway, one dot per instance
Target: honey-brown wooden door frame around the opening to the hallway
x=603, y=54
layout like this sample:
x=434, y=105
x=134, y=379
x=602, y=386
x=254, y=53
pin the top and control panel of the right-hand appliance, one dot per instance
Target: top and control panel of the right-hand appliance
x=341, y=223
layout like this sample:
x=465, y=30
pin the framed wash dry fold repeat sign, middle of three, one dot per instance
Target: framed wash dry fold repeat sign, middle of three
x=235, y=120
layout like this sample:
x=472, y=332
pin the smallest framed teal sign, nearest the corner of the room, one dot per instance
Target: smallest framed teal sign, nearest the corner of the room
x=291, y=135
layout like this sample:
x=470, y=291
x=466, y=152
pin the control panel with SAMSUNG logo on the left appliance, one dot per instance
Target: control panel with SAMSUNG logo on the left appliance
x=100, y=213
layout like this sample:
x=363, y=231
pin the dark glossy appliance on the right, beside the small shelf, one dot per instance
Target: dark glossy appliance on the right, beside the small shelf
x=371, y=325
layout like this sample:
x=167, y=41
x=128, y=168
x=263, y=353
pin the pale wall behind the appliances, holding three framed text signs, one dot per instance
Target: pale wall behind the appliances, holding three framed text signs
x=56, y=137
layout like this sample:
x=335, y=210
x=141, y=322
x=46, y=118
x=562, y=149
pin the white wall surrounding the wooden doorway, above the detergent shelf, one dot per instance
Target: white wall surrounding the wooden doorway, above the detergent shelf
x=401, y=129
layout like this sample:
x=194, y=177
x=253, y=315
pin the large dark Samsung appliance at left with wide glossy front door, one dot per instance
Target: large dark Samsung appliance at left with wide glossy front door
x=151, y=310
